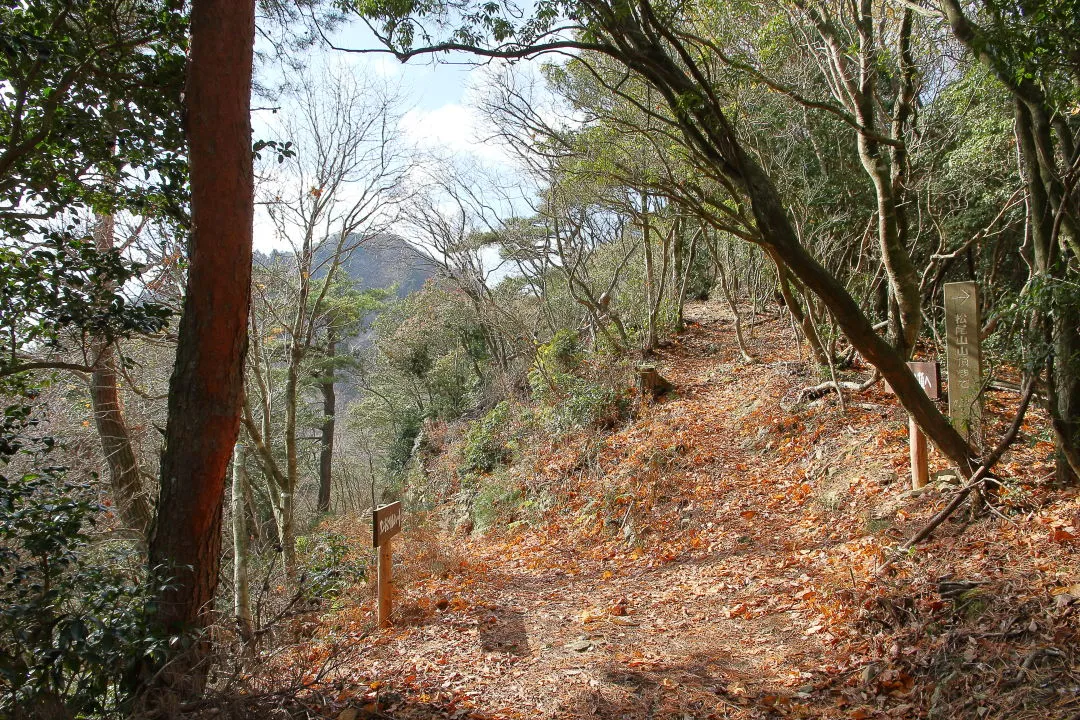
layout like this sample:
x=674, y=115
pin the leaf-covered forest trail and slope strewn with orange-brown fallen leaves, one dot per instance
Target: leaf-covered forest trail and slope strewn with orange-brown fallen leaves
x=718, y=561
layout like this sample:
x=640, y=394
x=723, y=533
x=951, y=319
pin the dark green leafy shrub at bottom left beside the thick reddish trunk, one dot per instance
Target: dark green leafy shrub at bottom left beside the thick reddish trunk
x=73, y=617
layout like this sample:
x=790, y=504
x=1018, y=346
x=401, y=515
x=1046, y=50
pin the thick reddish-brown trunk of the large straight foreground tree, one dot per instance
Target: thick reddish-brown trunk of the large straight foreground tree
x=207, y=387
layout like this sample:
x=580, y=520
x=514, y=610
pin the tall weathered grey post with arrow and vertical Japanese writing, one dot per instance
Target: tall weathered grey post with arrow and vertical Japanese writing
x=964, y=358
